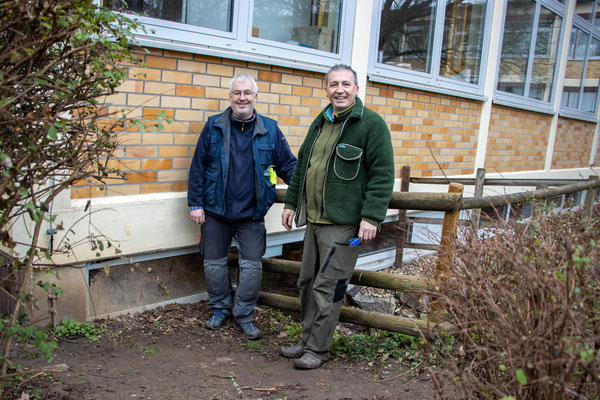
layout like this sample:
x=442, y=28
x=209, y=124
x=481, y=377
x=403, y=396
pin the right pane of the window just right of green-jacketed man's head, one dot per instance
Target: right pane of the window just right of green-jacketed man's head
x=463, y=38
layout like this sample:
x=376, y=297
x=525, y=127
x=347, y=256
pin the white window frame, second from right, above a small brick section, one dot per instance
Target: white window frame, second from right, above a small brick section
x=524, y=101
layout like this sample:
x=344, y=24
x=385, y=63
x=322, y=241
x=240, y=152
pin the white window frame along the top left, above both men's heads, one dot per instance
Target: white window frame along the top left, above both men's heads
x=239, y=44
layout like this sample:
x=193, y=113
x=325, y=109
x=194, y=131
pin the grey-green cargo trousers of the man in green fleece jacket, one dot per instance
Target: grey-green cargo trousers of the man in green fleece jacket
x=327, y=265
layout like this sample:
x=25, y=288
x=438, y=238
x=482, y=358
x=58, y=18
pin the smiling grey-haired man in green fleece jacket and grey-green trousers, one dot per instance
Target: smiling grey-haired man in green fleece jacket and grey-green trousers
x=340, y=190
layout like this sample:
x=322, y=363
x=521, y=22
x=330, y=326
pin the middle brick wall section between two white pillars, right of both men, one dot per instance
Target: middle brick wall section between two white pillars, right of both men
x=517, y=140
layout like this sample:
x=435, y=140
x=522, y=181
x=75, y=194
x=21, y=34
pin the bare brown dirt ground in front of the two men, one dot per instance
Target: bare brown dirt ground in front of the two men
x=166, y=353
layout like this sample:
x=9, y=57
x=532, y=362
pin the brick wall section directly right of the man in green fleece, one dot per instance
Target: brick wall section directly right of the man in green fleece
x=430, y=132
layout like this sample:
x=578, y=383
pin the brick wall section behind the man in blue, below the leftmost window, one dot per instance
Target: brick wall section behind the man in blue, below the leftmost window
x=189, y=88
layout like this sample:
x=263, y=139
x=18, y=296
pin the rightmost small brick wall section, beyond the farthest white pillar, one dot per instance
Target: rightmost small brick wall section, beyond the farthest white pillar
x=573, y=143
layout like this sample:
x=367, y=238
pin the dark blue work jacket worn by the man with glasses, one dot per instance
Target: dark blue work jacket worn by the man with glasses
x=208, y=172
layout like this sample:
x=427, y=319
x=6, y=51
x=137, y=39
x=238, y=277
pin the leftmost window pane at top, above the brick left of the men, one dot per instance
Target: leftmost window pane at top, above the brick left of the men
x=213, y=14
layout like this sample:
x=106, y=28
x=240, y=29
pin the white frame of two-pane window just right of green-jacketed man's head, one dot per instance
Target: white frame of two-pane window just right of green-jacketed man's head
x=384, y=73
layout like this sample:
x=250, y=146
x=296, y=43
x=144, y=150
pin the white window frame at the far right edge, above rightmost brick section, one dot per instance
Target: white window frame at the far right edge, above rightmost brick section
x=592, y=32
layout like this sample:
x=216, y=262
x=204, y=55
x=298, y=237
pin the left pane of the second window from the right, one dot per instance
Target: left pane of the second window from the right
x=515, y=46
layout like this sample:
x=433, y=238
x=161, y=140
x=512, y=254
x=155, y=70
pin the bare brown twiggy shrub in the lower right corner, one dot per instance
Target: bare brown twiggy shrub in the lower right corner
x=525, y=300
